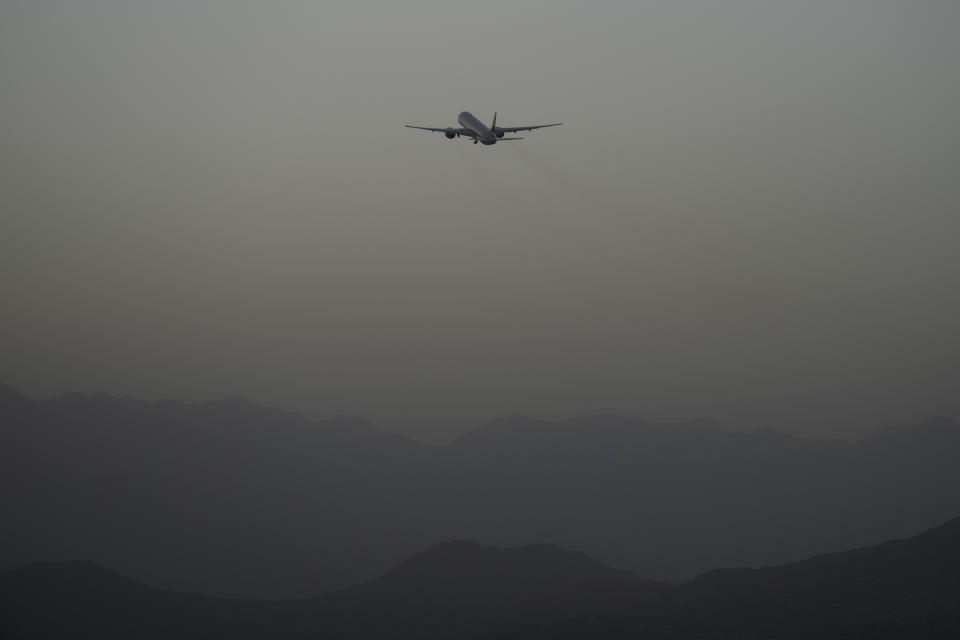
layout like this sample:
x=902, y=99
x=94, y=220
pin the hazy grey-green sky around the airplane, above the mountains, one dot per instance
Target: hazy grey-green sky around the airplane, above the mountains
x=752, y=211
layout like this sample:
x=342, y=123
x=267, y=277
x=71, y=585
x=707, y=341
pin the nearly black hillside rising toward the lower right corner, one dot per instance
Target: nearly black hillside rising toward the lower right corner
x=905, y=588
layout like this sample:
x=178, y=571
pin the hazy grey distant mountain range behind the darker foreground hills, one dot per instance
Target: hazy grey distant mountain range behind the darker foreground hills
x=230, y=498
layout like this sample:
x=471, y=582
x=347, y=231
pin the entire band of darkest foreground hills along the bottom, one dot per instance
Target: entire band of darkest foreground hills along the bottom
x=902, y=589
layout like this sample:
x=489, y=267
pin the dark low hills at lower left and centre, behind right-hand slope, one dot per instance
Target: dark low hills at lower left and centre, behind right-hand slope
x=454, y=590
